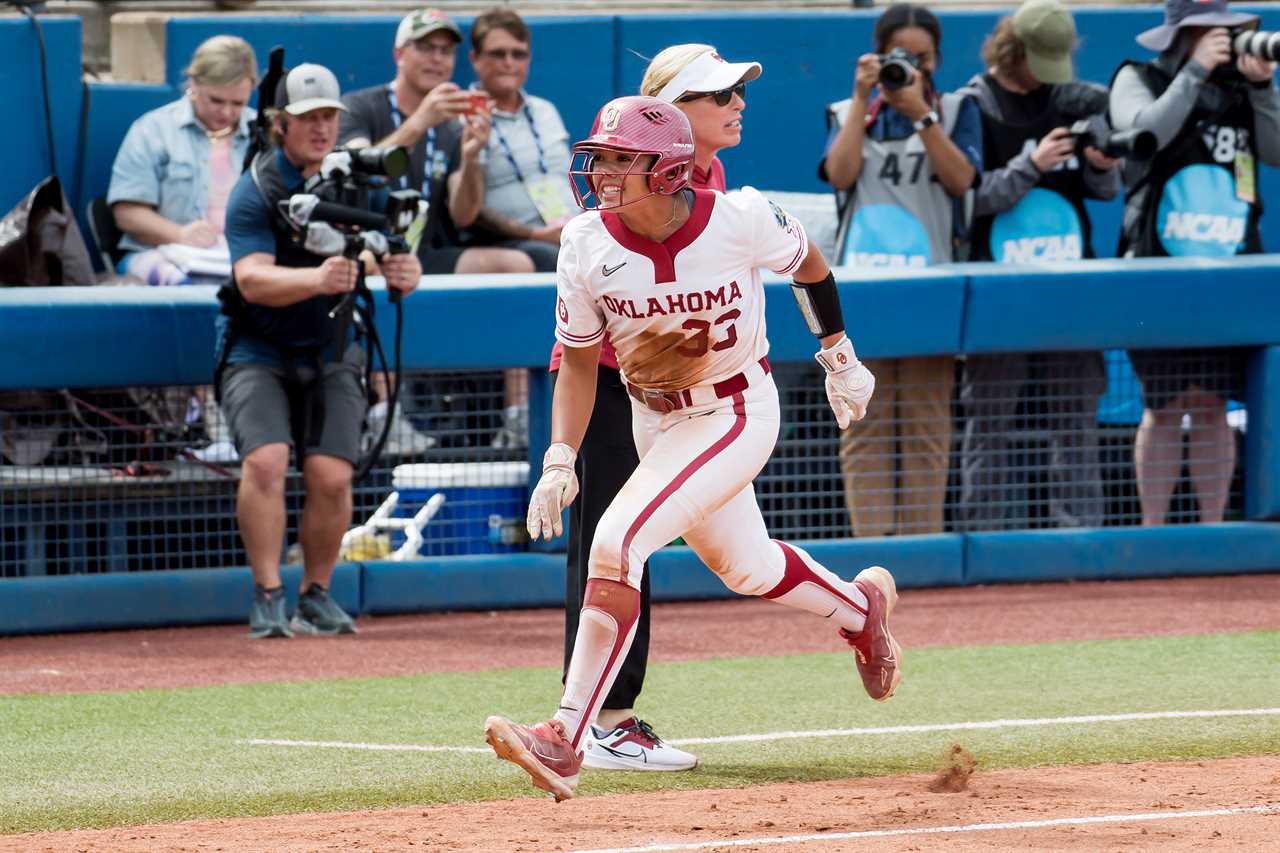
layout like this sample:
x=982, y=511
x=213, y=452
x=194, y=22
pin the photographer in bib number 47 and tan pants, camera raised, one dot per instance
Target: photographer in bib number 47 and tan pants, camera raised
x=902, y=159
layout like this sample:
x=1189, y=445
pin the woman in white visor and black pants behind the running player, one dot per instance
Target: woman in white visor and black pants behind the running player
x=712, y=93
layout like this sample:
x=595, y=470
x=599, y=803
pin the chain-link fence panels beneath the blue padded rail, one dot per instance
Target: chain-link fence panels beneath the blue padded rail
x=147, y=480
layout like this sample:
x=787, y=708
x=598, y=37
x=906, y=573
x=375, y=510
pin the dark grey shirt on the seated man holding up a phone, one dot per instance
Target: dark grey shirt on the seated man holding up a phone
x=369, y=115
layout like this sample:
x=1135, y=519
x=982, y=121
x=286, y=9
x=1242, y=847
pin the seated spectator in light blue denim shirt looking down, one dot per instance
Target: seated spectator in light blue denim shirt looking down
x=179, y=163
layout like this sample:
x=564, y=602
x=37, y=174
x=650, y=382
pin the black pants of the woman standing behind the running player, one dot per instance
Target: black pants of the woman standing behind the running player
x=606, y=460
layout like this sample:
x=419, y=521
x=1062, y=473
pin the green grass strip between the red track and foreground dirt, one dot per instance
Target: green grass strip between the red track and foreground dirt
x=122, y=759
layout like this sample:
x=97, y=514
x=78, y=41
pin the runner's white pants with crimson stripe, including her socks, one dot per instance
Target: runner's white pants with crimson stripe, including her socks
x=694, y=481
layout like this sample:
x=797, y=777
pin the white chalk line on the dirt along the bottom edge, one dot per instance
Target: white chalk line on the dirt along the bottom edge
x=939, y=831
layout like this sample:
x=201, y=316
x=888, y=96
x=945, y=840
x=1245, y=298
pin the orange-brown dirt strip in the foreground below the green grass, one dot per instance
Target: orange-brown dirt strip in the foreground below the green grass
x=776, y=813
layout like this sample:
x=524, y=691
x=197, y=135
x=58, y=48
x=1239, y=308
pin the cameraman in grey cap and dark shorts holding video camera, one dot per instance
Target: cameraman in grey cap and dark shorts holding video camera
x=290, y=375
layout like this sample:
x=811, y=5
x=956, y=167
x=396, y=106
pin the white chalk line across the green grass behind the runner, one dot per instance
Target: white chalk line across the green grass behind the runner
x=812, y=735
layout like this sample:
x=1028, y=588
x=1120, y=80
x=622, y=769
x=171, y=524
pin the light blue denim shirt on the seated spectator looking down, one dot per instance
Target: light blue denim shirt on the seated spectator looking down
x=164, y=163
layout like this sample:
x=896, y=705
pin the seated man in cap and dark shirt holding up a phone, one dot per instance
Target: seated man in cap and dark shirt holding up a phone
x=432, y=117
